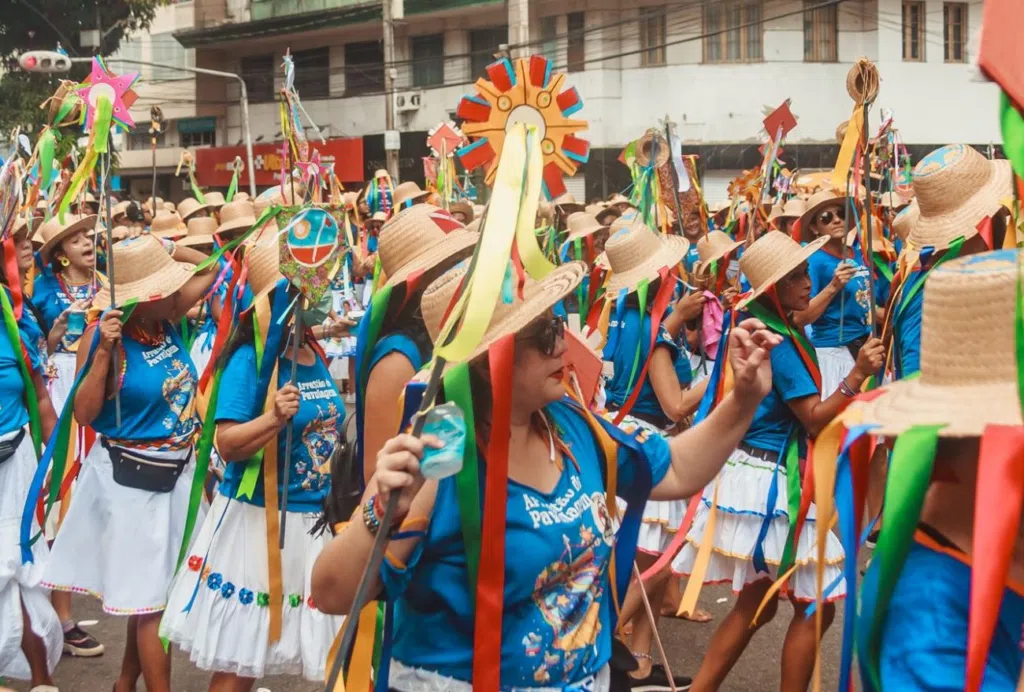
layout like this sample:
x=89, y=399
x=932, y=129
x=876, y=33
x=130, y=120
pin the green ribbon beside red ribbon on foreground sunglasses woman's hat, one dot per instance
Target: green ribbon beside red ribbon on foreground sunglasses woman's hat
x=467, y=482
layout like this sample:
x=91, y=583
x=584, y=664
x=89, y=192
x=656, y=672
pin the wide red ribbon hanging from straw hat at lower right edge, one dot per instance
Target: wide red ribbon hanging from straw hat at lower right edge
x=999, y=500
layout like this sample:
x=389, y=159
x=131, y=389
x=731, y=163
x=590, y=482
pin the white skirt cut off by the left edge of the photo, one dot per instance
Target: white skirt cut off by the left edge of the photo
x=20, y=584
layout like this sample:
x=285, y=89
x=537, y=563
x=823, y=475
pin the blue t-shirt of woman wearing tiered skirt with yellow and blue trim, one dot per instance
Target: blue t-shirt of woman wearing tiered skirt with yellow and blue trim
x=790, y=380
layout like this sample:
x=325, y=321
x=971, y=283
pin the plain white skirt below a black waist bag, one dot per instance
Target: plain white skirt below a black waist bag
x=120, y=544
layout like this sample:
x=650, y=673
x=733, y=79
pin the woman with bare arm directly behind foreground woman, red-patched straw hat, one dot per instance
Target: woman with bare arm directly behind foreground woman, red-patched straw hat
x=415, y=248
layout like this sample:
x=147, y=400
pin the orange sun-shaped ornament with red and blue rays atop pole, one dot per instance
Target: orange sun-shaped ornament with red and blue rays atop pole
x=528, y=94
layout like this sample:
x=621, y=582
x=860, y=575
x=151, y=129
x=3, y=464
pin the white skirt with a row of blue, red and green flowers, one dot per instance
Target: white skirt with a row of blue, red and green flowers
x=228, y=626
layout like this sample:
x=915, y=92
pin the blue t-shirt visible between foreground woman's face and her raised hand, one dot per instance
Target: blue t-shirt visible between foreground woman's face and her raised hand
x=633, y=333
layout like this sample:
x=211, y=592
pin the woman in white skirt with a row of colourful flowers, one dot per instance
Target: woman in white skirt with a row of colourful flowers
x=219, y=608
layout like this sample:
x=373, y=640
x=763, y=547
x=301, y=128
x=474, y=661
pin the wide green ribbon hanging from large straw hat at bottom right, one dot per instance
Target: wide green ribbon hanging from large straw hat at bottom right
x=910, y=475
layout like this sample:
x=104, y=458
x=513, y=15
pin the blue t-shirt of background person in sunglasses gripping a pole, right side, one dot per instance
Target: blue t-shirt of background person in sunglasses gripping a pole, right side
x=822, y=267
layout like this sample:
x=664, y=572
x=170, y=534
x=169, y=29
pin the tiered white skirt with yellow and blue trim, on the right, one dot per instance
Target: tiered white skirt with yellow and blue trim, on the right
x=743, y=499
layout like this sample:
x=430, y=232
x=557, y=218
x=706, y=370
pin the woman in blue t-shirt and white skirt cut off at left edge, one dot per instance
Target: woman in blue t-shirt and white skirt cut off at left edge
x=31, y=636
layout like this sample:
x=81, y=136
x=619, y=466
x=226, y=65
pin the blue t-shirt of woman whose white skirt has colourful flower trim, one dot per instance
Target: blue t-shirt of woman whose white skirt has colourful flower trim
x=317, y=432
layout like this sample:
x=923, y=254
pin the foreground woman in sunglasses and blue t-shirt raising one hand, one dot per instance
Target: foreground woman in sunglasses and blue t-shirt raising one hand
x=558, y=615
